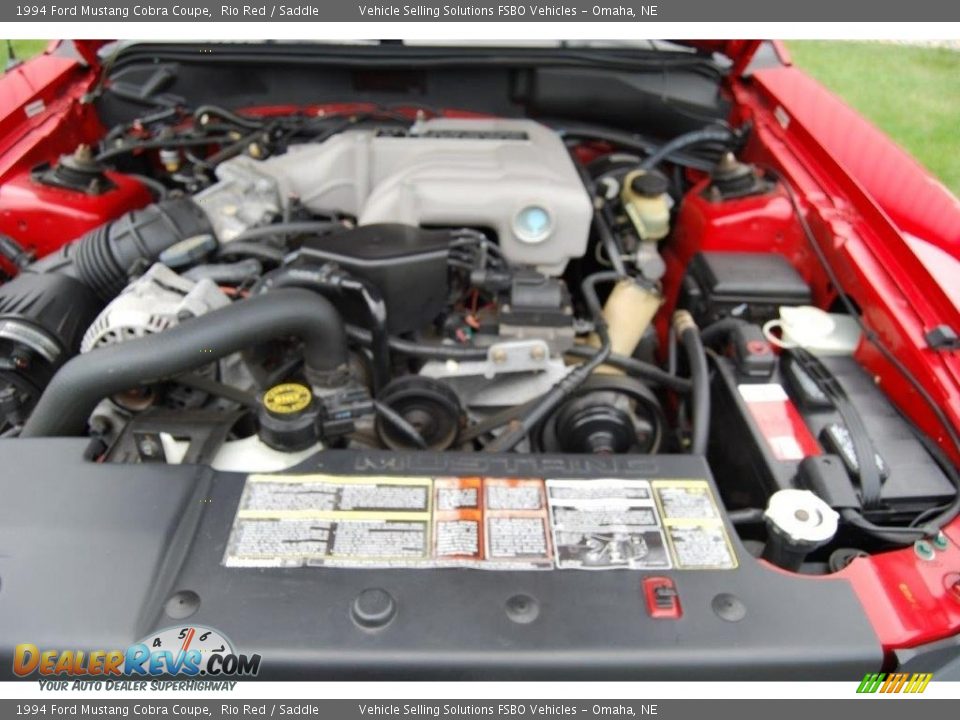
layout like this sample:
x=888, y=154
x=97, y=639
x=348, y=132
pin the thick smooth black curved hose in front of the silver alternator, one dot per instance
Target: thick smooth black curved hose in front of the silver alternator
x=75, y=390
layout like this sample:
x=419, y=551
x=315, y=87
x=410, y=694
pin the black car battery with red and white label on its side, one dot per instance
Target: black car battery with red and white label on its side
x=764, y=428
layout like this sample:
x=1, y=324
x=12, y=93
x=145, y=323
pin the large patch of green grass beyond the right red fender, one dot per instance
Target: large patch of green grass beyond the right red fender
x=911, y=93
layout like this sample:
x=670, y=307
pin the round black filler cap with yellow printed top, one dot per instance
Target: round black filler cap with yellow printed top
x=288, y=417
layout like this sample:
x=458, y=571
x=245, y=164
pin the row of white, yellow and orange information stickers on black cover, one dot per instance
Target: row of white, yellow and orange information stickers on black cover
x=478, y=522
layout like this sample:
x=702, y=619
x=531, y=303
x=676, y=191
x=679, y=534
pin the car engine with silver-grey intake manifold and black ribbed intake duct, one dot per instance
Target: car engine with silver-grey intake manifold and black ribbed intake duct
x=457, y=231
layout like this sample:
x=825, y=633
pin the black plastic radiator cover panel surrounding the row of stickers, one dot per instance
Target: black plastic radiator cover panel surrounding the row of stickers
x=89, y=555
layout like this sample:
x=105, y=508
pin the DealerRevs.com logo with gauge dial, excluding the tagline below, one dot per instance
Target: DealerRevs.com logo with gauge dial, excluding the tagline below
x=186, y=652
